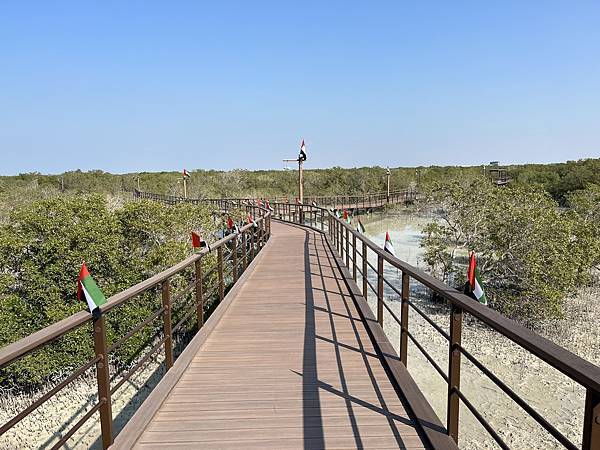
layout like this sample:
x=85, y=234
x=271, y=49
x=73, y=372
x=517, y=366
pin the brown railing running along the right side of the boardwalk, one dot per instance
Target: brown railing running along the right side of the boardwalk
x=354, y=249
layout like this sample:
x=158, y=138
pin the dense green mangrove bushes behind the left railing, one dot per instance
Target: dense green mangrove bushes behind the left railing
x=41, y=249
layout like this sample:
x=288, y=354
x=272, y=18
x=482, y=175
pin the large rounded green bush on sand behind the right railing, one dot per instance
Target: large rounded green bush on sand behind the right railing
x=530, y=253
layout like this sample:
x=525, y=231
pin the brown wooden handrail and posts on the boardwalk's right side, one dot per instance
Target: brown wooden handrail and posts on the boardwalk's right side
x=573, y=366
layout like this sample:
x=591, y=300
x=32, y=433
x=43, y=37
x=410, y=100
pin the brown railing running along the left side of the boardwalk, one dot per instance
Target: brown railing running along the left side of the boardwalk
x=200, y=279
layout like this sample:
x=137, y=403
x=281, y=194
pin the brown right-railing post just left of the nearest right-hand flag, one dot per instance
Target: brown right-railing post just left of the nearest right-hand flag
x=454, y=372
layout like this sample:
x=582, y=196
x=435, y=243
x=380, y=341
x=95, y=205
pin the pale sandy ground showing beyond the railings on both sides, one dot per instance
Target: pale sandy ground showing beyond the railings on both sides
x=552, y=394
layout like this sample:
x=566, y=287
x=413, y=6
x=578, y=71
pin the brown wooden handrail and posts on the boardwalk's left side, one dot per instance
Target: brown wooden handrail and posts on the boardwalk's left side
x=37, y=340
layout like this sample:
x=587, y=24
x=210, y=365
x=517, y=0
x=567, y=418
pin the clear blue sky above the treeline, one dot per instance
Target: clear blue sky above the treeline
x=147, y=85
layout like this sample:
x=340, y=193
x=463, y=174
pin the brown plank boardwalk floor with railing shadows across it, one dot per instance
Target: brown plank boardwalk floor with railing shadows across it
x=287, y=363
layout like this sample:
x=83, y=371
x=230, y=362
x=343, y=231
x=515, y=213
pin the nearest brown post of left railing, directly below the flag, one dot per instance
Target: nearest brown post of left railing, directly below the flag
x=103, y=378
